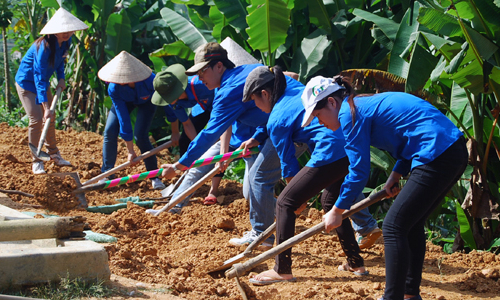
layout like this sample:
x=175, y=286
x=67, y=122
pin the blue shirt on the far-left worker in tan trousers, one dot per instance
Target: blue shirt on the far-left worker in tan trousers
x=35, y=71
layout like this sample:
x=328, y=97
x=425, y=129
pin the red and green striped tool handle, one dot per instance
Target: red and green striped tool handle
x=158, y=172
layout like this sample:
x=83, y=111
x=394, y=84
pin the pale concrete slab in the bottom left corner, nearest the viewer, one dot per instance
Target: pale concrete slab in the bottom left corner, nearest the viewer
x=37, y=261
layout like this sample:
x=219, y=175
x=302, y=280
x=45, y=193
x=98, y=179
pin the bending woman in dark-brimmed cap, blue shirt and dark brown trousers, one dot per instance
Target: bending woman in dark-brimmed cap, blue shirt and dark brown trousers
x=280, y=96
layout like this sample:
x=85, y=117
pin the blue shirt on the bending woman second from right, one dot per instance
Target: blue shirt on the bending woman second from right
x=285, y=127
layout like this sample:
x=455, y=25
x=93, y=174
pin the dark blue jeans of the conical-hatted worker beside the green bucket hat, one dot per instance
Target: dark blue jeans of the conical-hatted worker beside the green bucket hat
x=145, y=113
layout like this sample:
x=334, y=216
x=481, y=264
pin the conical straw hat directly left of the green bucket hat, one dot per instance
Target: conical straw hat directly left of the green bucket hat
x=124, y=68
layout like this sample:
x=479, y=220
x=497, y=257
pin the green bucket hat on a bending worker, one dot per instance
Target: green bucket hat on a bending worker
x=169, y=84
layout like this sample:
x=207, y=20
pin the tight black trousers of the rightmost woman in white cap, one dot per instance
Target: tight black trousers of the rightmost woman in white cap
x=404, y=235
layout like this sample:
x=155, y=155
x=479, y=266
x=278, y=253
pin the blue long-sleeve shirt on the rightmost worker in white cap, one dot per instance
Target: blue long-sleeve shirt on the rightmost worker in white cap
x=412, y=130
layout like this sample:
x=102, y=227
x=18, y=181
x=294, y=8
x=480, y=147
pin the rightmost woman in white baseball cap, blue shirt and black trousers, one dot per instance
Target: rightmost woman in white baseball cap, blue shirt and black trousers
x=422, y=140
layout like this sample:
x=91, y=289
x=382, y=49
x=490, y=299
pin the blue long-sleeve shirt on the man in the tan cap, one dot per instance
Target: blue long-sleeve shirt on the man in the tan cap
x=227, y=108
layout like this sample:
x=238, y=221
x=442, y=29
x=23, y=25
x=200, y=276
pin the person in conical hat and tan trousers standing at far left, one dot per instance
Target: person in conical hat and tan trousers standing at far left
x=45, y=56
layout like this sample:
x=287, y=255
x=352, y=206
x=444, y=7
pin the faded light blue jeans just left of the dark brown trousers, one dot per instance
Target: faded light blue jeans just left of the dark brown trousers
x=258, y=187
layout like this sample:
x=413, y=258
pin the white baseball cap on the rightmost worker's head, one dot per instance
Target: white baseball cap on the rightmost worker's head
x=316, y=90
